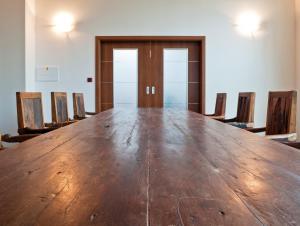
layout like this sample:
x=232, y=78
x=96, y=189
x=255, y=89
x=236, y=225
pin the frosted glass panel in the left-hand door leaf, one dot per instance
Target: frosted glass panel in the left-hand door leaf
x=125, y=74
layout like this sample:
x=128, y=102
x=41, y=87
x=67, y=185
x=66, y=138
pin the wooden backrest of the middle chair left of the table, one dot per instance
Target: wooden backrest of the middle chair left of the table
x=59, y=105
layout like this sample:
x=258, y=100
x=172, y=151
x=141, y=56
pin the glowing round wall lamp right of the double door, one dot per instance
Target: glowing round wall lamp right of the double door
x=248, y=23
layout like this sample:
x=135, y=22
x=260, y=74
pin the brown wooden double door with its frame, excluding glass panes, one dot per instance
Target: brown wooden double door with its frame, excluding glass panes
x=150, y=60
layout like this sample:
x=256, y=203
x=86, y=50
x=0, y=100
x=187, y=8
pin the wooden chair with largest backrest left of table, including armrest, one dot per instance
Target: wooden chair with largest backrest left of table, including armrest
x=30, y=114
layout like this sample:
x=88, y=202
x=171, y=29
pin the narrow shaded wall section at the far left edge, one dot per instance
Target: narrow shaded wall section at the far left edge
x=12, y=61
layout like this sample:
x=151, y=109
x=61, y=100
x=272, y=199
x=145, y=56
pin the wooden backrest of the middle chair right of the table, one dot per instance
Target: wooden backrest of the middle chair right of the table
x=245, y=111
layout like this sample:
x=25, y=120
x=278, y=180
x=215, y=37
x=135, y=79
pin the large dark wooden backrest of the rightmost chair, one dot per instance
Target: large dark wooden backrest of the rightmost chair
x=281, y=115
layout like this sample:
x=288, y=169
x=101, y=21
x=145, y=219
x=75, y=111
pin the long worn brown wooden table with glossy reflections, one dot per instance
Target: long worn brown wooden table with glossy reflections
x=149, y=167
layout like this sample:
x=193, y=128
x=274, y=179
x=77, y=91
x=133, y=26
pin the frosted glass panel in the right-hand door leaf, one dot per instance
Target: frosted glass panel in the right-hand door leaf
x=175, y=78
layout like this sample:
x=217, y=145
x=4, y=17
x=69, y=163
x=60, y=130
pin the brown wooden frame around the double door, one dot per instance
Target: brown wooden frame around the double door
x=98, y=50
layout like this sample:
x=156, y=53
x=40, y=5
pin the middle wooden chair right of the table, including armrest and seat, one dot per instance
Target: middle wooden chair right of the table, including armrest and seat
x=245, y=111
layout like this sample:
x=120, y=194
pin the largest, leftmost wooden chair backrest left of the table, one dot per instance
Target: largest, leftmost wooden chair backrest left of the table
x=30, y=110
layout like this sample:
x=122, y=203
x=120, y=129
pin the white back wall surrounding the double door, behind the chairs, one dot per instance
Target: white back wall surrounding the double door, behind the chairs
x=234, y=63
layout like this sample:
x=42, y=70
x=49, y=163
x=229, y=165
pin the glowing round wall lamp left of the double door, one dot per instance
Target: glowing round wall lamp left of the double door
x=63, y=22
